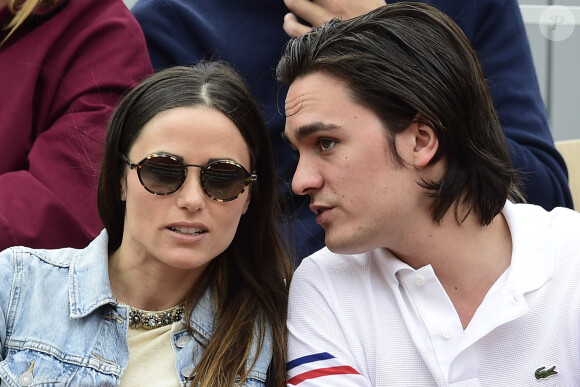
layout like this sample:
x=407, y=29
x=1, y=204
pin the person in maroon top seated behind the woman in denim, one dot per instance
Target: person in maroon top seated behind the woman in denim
x=63, y=66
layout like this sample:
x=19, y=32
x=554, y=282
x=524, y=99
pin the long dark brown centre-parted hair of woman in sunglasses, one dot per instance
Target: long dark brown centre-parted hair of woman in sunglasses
x=249, y=281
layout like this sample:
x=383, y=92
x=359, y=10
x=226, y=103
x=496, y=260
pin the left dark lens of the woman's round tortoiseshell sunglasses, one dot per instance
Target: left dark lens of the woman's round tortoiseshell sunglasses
x=162, y=174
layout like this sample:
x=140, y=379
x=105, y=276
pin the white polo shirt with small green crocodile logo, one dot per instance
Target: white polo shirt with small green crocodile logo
x=371, y=320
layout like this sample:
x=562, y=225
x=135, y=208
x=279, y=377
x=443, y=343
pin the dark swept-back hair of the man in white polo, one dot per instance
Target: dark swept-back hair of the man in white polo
x=409, y=62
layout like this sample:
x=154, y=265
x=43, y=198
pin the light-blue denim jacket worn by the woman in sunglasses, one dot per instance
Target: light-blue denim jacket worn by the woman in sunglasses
x=61, y=326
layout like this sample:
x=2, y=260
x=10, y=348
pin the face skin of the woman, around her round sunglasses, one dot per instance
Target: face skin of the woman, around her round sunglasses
x=184, y=230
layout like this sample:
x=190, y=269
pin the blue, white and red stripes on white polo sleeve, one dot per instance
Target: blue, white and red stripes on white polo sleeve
x=315, y=366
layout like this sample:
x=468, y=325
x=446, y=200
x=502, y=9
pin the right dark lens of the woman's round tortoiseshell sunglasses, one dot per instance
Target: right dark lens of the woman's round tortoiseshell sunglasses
x=224, y=181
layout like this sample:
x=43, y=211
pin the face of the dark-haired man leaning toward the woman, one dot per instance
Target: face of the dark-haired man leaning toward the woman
x=362, y=197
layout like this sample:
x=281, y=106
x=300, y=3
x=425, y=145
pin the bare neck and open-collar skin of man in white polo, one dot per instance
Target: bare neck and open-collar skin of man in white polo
x=467, y=259
